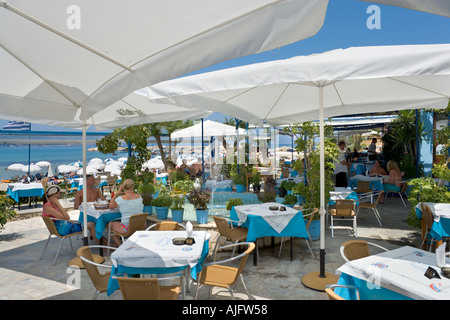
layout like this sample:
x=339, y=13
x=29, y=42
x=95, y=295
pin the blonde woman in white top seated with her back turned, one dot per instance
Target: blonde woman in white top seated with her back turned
x=129, y=203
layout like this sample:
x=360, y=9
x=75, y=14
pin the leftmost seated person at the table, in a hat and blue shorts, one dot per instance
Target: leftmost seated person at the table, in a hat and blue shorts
x=53, y=208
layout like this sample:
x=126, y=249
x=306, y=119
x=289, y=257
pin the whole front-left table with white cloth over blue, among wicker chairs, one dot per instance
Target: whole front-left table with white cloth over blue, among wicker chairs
x=156, y=252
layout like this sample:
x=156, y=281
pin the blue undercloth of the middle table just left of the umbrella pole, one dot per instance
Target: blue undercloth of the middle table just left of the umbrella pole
x=258, y=227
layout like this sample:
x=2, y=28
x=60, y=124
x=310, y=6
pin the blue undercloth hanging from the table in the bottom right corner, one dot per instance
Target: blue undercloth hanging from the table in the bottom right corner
x=367, y=291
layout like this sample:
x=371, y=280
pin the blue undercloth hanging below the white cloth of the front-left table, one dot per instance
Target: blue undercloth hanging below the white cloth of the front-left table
x=113, y=284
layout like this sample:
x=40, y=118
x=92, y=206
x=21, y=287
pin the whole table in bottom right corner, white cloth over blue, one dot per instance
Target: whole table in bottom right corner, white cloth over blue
x=405, y=273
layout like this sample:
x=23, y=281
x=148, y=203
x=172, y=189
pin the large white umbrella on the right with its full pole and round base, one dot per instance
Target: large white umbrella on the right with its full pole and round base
x=350, y=81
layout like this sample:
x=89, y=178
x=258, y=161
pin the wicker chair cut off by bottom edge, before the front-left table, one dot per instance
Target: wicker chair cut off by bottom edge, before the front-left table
x=149, y=288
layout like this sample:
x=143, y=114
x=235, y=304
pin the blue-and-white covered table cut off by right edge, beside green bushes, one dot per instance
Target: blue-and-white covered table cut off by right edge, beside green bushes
x=441, y=219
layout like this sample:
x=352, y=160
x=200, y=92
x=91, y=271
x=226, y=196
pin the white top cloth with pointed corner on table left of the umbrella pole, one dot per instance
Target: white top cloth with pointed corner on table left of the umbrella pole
x=277, y=219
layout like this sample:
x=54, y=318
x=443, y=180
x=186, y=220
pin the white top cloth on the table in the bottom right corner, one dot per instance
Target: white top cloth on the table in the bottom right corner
x=401, y=270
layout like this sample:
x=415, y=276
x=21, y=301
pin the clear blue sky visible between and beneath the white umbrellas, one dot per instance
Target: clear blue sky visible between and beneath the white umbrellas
x=345, y=26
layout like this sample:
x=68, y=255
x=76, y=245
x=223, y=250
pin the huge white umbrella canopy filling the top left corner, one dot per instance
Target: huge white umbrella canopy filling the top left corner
x=68, y=60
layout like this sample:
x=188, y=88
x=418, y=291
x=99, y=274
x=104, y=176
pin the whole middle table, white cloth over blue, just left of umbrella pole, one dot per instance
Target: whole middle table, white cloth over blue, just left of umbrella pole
x=263, y=221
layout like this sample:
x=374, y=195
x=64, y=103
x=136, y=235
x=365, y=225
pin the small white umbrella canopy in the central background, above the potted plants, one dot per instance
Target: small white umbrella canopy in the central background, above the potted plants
x=207, y=129
